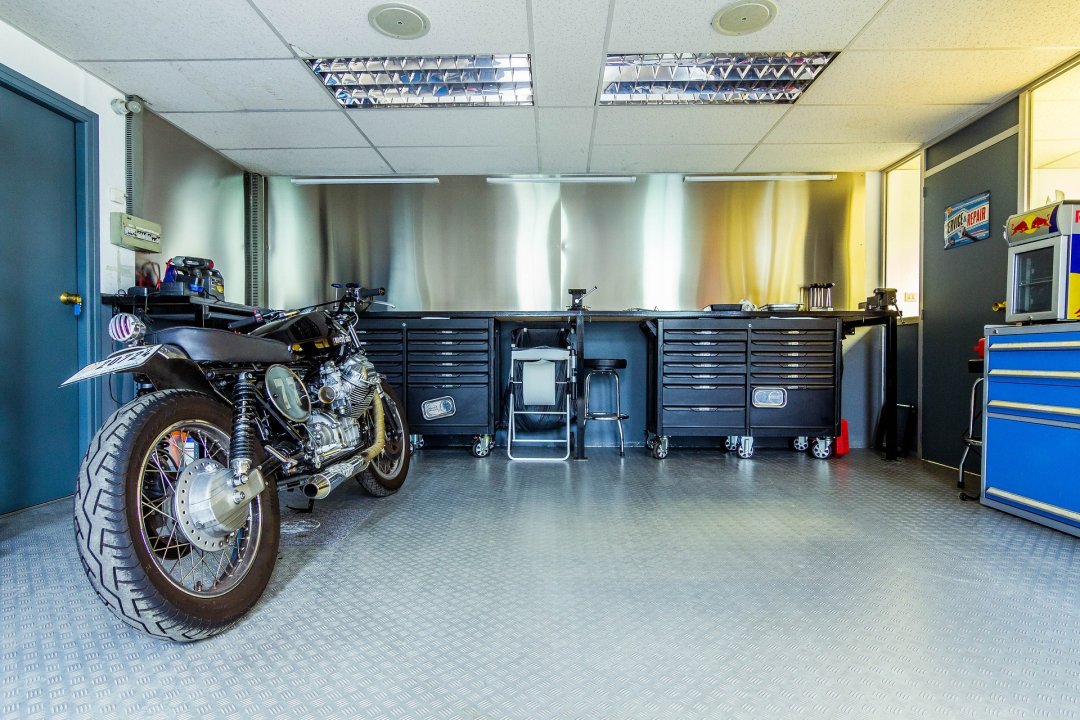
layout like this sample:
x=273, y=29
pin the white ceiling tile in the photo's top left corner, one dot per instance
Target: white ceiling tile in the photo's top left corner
x=137, y=30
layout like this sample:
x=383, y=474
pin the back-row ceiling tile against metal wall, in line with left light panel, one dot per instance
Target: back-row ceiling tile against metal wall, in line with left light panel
x=464, y=161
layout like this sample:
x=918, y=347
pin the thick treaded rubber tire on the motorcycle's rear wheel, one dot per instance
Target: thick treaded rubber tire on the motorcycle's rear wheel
x=112, y=535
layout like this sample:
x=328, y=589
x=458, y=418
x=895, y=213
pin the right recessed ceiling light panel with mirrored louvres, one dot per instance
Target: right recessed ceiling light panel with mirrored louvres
x=710, y=78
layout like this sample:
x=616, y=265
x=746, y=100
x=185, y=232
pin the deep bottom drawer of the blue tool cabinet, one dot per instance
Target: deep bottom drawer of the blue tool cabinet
x=1032, y=467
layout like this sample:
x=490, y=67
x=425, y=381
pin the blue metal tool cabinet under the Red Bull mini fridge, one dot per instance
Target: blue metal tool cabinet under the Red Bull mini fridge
x=1032, y=424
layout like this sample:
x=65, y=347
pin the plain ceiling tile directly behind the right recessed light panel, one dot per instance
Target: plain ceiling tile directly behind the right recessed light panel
x=686, y=125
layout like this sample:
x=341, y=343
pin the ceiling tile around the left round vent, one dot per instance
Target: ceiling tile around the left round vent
x=460, y=28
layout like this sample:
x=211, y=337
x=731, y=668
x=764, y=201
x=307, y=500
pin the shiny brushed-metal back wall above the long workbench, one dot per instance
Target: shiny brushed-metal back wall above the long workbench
x=658, y=243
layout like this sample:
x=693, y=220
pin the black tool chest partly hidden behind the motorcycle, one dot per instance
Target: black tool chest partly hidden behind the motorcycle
x=445, y=373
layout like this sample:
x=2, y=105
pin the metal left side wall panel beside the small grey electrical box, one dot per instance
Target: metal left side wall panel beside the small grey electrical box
x=198, y=198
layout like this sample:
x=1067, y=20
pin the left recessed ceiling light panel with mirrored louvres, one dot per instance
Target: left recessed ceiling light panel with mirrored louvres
x=451, y=81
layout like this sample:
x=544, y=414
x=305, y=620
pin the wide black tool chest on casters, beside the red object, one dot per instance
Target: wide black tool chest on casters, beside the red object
x=745, y=378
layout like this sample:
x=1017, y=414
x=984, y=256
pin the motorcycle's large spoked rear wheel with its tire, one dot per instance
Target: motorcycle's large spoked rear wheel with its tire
x=144, y=558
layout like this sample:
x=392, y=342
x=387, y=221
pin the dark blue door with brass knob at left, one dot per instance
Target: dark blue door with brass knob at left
x=38, y=261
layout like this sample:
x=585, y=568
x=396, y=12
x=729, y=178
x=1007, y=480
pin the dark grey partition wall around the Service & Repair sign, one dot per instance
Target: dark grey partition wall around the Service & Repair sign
x=962, y=284
